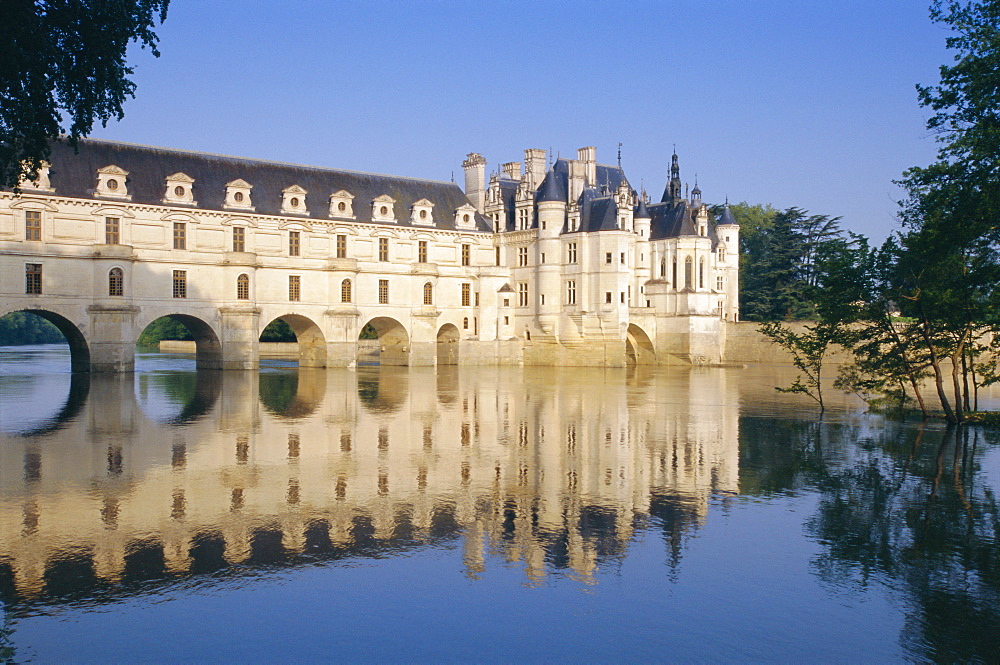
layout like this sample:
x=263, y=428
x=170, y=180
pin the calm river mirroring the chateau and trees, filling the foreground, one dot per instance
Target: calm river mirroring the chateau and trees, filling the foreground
x=483, y=514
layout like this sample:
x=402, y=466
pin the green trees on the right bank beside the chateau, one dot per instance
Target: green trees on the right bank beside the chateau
x=925, y=304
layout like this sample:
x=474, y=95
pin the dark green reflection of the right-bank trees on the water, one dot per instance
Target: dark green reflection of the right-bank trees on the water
x=909, y=512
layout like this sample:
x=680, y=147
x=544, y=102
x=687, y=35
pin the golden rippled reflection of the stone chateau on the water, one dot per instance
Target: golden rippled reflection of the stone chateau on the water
x=550, y=469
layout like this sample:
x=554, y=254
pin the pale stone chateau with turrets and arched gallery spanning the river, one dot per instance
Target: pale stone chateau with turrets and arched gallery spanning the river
x=539, y=264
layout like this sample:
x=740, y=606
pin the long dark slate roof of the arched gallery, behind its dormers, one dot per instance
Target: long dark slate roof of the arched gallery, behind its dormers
x=75, y=175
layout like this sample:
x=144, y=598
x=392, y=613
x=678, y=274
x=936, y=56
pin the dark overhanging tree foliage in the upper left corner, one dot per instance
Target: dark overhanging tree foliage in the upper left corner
x=63, y=67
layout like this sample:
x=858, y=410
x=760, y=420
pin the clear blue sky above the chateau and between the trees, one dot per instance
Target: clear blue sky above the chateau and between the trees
x=787, y=102
